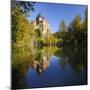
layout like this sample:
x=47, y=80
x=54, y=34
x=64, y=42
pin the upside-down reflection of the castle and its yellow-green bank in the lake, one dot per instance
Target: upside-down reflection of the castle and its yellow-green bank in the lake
x=42, y=59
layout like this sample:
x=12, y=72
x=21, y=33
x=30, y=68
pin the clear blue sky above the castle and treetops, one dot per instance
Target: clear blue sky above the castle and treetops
x=54, y=13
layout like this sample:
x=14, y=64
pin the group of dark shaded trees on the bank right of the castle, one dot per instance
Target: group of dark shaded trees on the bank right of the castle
x=75, y=34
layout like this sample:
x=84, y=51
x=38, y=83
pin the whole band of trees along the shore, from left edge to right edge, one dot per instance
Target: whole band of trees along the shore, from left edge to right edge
x=24, y=35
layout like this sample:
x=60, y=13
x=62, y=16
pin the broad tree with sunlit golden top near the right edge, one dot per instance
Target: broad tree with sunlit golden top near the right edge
x=78, y=31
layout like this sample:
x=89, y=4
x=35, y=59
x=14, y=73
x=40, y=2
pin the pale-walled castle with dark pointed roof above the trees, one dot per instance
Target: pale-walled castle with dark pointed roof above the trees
x=41, y=24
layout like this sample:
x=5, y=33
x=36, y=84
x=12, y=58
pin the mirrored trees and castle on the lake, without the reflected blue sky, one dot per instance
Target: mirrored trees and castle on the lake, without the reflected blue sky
x=39, y=59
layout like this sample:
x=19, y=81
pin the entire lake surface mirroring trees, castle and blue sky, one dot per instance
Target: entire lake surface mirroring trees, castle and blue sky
x=49, y=66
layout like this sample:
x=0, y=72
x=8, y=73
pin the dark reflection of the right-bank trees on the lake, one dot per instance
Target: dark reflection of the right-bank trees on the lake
x=74, y=56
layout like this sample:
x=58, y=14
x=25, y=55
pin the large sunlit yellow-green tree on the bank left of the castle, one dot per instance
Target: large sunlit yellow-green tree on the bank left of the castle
x=22, y=31
